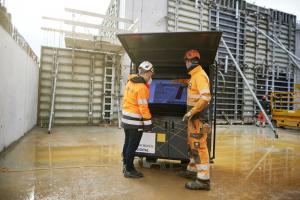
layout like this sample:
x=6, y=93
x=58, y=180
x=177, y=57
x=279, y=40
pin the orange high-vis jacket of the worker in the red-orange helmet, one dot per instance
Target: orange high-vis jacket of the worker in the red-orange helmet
x=198, y=96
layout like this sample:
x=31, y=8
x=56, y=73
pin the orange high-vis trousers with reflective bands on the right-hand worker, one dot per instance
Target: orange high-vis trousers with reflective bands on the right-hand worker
x=198, y=151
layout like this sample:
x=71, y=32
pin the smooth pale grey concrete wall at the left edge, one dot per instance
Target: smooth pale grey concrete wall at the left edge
x=18, y=91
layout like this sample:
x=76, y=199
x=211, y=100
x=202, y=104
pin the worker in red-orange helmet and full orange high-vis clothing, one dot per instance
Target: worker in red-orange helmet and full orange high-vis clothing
x=198, y=99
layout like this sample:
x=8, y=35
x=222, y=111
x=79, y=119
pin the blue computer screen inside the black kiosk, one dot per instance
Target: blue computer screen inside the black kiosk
x=167, y=92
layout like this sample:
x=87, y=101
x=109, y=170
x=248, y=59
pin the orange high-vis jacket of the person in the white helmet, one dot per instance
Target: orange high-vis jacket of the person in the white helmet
x=135, y=111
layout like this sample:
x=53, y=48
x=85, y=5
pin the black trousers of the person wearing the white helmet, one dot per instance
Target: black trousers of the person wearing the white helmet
x=131, y=143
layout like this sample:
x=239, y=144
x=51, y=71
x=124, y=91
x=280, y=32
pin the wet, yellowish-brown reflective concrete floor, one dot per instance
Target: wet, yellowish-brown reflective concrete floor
x=85, y=163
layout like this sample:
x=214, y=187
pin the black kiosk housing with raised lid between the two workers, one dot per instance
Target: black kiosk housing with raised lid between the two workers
x=166, y=51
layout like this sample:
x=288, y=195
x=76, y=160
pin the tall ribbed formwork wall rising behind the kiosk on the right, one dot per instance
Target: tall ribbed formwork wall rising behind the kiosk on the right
x=266, y=66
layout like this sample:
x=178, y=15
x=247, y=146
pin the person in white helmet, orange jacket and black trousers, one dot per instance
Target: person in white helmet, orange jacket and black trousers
x=136, y=117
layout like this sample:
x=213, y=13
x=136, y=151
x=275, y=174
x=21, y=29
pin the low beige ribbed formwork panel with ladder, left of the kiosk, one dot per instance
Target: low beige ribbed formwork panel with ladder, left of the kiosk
x=79, y=86
